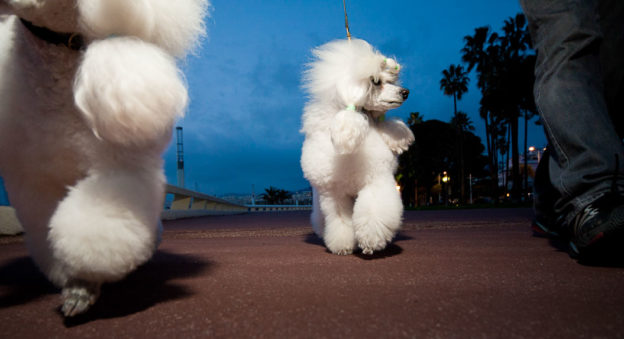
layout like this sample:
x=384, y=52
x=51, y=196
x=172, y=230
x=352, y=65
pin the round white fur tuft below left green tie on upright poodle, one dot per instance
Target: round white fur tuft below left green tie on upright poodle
x=348, y=130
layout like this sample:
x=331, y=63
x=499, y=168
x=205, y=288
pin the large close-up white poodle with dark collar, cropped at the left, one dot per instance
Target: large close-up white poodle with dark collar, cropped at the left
x=89, y=92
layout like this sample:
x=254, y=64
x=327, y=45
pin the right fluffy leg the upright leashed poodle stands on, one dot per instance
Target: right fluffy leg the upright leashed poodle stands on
x=377, y=215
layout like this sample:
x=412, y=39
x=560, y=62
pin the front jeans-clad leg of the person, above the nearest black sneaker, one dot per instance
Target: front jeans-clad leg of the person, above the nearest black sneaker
x=569, y=96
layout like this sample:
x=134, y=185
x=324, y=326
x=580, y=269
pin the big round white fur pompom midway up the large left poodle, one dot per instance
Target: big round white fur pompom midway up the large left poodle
x=130, y=92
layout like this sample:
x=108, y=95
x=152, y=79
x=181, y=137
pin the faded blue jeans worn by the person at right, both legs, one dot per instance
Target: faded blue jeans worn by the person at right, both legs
x=575, y=46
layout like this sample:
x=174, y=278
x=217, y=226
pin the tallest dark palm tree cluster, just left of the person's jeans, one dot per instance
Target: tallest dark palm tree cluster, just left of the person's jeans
x=505, y=80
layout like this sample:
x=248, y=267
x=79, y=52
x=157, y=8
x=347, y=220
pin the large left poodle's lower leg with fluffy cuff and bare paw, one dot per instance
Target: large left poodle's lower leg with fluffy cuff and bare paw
x=105, y=227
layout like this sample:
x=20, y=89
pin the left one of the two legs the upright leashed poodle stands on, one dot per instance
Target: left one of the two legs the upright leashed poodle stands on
x=338, y=235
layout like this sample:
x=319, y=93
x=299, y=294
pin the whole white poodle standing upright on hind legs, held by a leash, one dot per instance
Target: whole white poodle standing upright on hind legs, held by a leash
x=350, y=151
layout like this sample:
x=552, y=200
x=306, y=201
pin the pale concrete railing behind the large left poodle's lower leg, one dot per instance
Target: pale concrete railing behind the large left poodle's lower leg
x=187, y=203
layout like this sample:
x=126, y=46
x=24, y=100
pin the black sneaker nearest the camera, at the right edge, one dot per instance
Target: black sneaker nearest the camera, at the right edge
x=598, y=227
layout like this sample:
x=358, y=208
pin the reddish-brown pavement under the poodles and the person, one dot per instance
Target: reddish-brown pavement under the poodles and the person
x=448, y=274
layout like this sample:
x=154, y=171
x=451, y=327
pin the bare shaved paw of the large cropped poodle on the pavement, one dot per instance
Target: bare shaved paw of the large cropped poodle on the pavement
x=78, y=296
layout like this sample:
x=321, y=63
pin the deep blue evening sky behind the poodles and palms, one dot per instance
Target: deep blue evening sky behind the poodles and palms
x=242, y=125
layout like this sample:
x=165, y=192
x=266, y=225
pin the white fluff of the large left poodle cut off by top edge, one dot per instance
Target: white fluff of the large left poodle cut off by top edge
x=175, y=25
